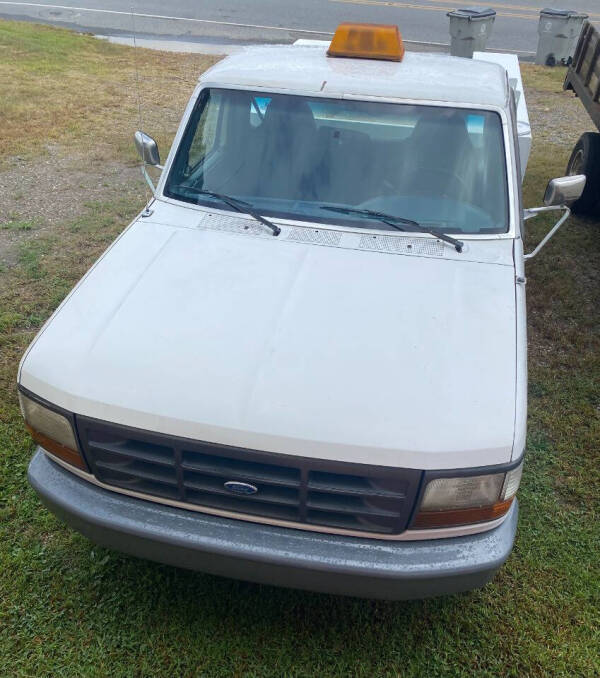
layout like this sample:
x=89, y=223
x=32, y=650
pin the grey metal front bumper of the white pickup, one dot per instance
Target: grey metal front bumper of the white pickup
x=272, y=555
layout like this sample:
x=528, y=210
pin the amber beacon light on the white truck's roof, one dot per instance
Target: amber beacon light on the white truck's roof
x=367, y=41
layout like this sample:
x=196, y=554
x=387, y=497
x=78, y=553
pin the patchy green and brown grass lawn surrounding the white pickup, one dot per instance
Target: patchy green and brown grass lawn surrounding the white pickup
x=68, y=186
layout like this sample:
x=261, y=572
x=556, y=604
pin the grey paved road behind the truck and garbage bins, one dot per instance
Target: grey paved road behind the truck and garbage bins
x=285, y=20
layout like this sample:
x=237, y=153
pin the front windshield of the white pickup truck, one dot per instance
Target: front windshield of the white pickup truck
x=291, y=156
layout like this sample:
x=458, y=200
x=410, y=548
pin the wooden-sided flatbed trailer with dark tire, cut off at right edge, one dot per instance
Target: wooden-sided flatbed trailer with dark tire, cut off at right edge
x=583, y=77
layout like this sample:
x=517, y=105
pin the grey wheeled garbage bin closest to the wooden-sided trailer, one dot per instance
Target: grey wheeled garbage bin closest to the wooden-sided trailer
x=559, y=31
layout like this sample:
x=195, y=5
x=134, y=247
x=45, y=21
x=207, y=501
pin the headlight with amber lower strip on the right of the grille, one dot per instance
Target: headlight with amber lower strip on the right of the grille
x=464, y=500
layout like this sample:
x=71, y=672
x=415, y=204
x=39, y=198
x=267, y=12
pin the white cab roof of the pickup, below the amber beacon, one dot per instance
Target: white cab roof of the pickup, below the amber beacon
x=419, y=76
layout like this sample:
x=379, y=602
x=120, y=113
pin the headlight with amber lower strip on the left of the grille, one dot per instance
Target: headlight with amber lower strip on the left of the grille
x=52, y=430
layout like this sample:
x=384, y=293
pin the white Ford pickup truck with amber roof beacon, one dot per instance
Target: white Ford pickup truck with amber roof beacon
x=304, y=363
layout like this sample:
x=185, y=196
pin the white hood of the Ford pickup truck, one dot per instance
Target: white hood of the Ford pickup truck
x=317, y=349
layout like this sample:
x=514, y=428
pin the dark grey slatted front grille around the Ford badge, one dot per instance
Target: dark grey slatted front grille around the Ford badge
x=288, y=488
